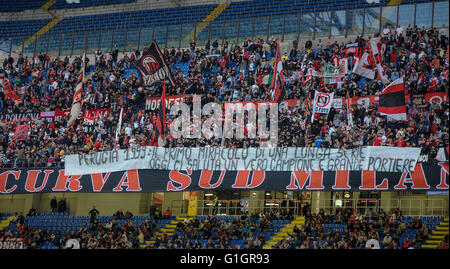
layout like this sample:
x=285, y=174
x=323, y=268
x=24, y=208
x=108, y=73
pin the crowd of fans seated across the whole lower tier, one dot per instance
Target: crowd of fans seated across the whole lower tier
x=371, y=230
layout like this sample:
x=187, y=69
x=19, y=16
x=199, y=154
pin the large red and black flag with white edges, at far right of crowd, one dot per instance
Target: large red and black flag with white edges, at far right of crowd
x=392, y=100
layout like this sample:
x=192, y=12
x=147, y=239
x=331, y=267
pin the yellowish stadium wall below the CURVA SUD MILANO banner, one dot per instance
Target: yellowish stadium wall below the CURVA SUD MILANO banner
x=139, y=203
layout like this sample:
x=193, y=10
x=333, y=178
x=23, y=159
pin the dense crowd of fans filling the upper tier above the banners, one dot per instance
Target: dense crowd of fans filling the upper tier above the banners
x=233, y=73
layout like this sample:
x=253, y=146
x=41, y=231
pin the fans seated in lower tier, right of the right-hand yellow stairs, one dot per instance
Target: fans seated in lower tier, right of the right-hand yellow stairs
x=372, y=230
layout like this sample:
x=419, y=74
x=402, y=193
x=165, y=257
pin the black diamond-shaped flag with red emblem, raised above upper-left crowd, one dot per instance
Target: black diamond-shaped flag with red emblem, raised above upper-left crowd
x=153, y=67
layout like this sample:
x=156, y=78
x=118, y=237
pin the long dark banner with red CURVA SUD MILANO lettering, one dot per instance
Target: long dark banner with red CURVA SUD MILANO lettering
x=430, y=176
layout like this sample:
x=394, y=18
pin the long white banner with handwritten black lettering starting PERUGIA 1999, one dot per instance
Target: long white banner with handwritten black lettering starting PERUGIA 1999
x=383, y=159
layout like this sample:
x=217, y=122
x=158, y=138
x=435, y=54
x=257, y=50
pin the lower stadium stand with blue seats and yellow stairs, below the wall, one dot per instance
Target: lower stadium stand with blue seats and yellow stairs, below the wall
x=53, y=230
